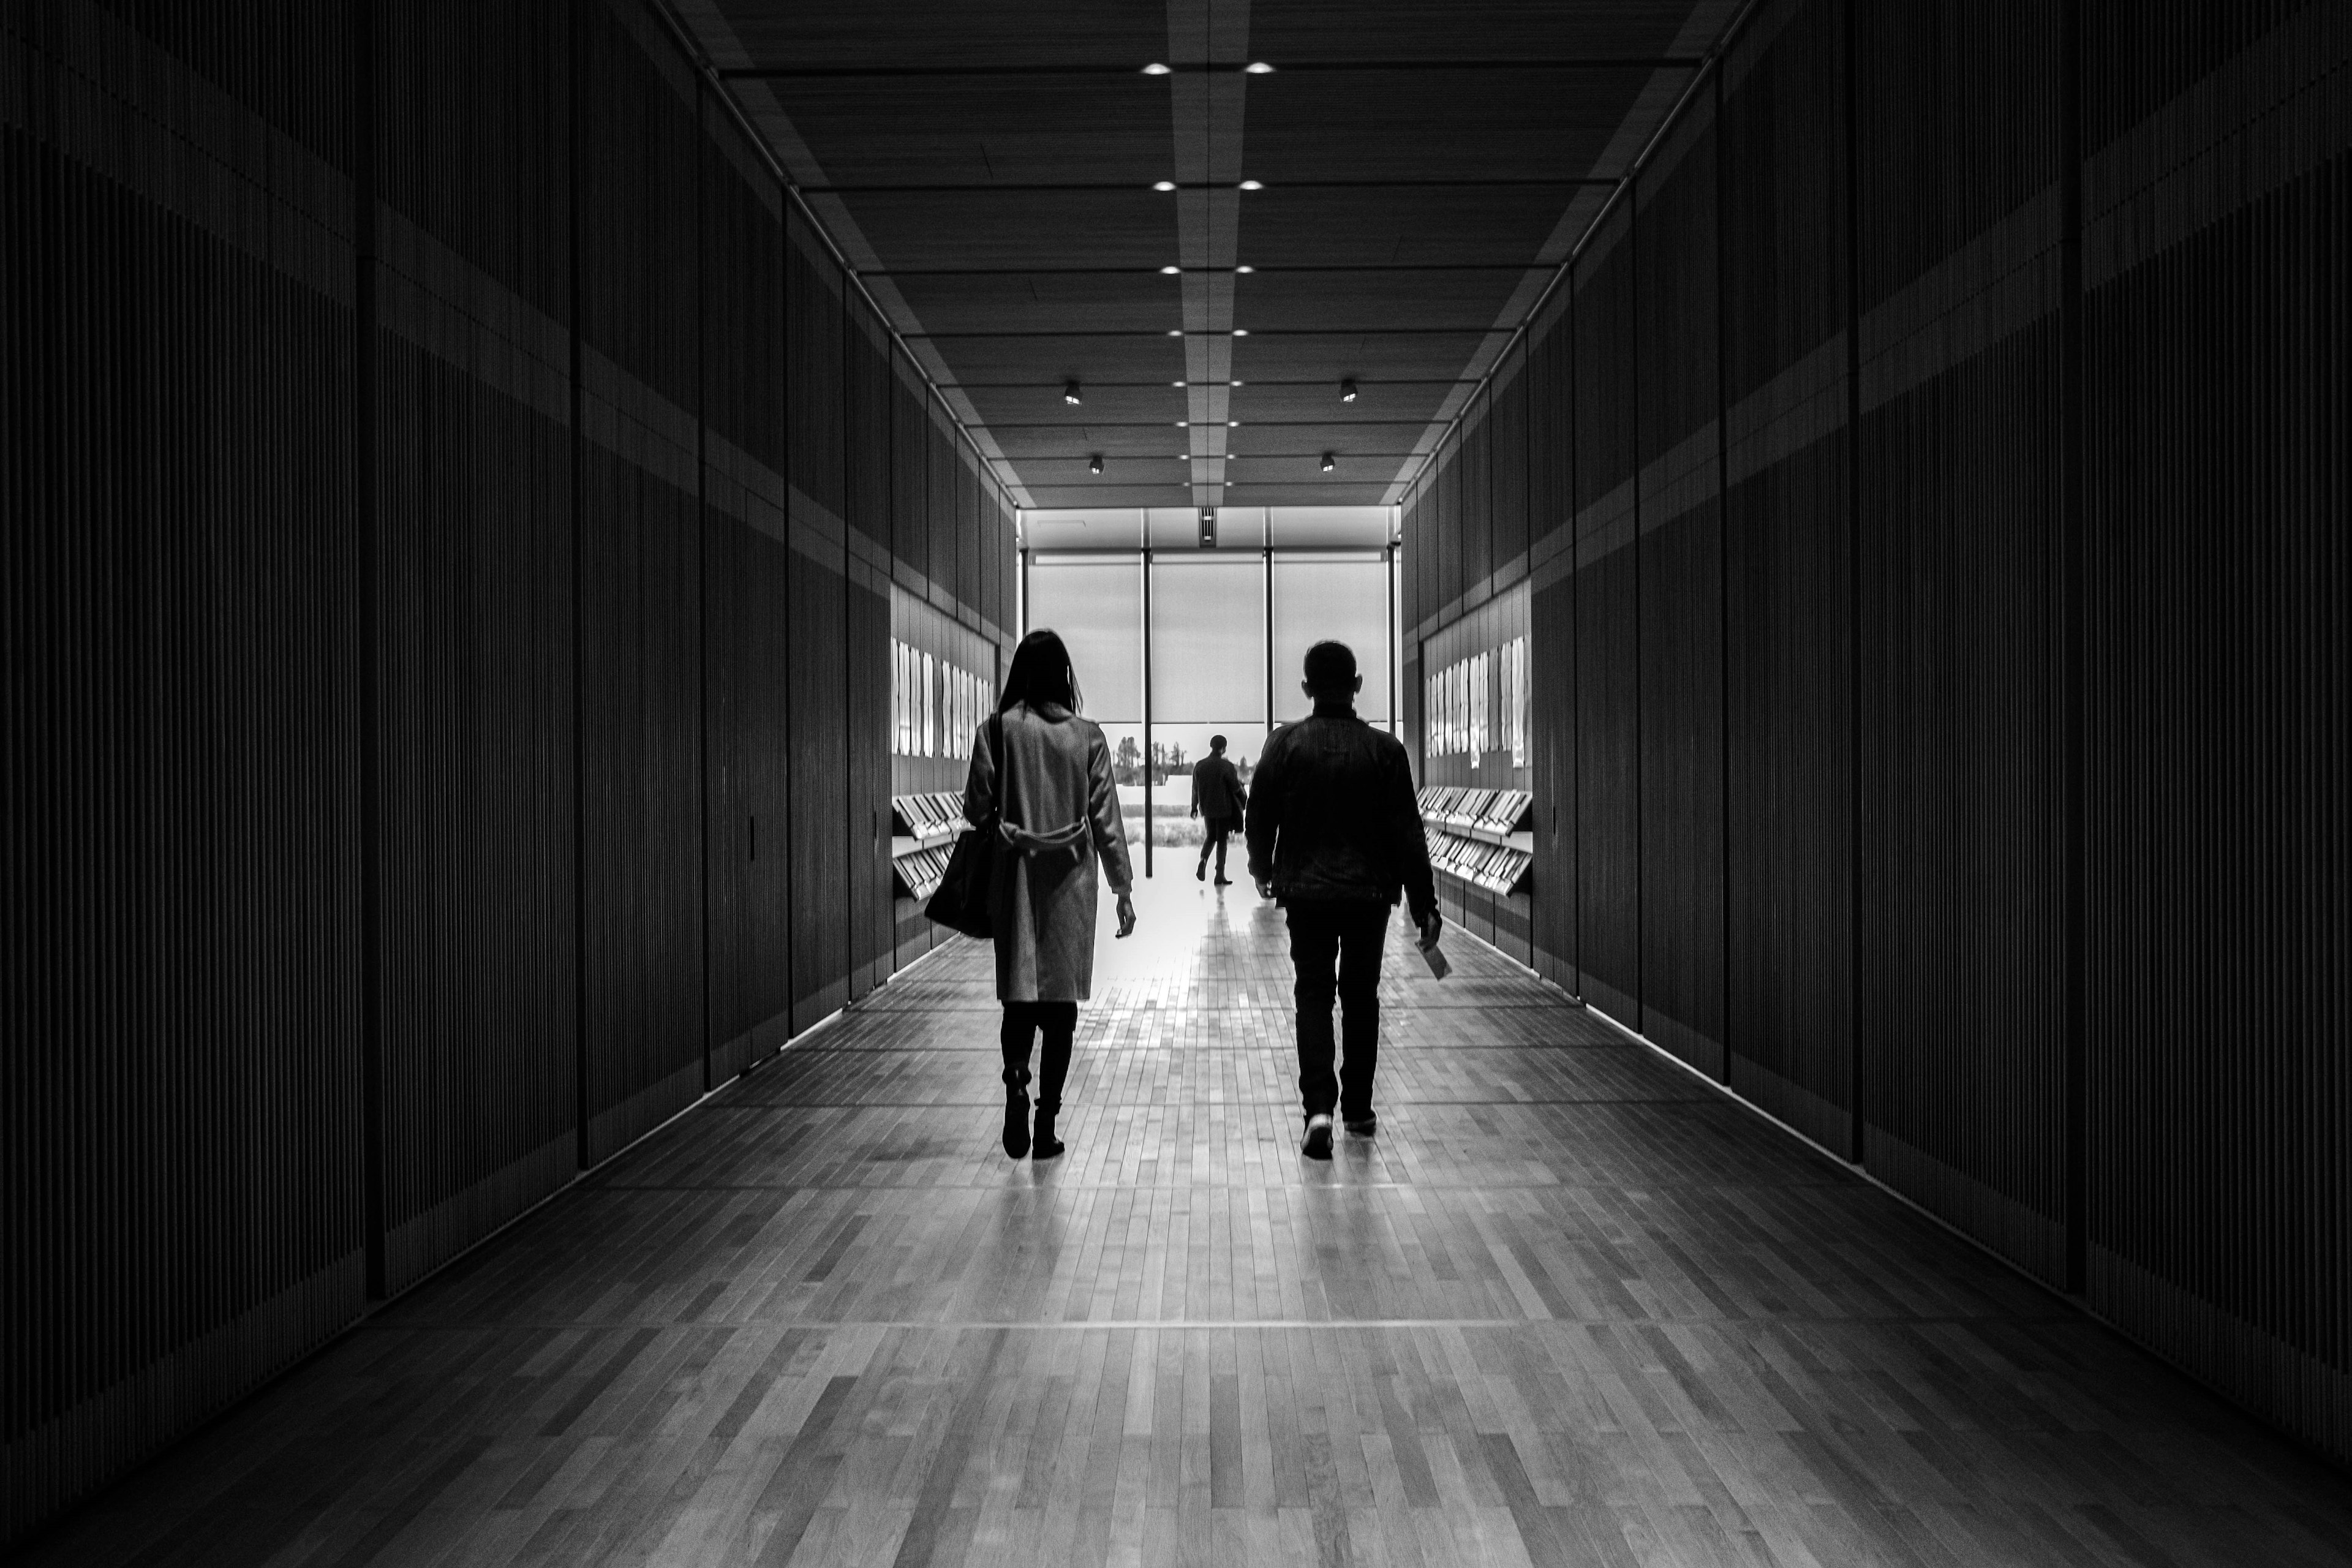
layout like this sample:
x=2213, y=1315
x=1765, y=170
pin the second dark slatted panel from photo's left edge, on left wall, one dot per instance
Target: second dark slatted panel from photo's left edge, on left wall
x=472, y=612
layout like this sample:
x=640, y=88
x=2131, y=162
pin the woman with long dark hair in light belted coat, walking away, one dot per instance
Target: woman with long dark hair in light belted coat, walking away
x=1060, y=815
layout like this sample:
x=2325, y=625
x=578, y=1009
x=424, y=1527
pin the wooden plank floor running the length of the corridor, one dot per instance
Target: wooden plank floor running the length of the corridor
x=1568, y=1308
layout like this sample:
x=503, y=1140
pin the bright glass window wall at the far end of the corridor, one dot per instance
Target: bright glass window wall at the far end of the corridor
x=1229, y=626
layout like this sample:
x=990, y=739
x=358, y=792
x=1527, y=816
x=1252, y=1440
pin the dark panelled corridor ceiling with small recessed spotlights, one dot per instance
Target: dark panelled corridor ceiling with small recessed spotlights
x=1419, y=168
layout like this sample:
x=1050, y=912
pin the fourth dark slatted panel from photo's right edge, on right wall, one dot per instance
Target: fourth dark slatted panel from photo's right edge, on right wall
x=1681, y=598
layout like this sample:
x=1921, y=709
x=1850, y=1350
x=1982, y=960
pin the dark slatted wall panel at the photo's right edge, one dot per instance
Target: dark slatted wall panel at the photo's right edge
x=2219, y=596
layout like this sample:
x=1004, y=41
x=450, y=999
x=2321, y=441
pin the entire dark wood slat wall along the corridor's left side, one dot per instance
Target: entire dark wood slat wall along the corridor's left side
x=403, y=662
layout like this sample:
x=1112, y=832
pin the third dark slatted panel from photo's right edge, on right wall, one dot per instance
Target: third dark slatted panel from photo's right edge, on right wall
x=1789, y=617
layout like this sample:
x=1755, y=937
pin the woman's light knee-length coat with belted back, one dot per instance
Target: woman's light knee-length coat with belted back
x=1064, y=817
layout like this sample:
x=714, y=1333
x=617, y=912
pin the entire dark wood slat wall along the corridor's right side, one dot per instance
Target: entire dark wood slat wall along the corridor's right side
x=1965, y=744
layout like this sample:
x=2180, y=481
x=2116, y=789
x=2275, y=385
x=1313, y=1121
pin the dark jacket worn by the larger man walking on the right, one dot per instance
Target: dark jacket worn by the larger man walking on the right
x=1332, y=817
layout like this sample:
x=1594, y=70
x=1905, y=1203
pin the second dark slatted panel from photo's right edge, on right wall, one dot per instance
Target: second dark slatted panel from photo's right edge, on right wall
x=1960, y=897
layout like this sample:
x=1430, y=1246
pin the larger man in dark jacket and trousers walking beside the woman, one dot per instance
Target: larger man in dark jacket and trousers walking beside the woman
x=1335, y=836
